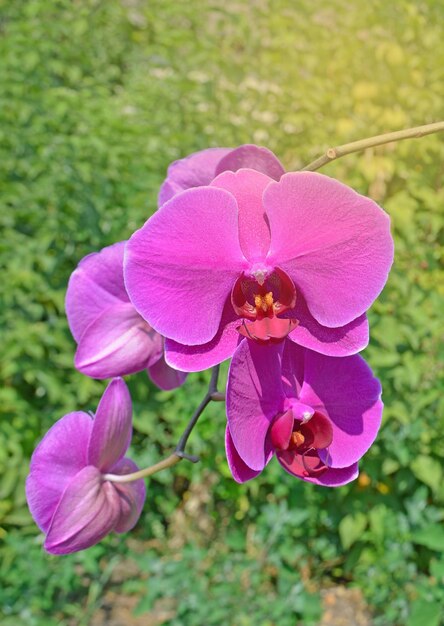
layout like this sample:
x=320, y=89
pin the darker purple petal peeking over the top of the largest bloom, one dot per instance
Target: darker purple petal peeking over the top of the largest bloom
x=254, y=158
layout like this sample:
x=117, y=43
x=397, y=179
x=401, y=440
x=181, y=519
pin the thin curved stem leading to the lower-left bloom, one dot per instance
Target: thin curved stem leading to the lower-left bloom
x=179, y=453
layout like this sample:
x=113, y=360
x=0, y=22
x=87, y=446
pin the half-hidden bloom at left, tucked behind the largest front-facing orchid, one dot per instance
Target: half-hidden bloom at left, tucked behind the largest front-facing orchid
x=113, y=339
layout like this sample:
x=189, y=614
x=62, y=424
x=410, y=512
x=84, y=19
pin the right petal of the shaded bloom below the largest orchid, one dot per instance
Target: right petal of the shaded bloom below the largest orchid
x=346, y=391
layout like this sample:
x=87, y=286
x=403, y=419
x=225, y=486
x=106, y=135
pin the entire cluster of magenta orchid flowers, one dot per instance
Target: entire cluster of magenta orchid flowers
x=241, y=261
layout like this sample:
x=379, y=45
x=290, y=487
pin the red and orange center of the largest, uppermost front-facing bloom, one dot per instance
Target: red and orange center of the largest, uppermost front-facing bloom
x=260, y=298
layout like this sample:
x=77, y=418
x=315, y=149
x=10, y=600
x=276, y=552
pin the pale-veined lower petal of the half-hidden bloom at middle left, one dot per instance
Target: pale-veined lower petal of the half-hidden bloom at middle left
x=117, y=343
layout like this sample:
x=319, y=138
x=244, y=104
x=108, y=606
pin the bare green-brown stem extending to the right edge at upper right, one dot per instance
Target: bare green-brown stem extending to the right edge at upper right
x=356, y=146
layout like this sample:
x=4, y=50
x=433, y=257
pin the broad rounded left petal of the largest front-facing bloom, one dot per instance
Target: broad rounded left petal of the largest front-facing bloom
x=181, y=265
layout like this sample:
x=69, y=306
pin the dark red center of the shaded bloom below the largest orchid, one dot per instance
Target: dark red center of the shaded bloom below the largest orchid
x=297, y=443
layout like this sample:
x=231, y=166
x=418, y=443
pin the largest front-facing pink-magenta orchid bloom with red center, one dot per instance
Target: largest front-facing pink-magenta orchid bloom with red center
x=247, y=255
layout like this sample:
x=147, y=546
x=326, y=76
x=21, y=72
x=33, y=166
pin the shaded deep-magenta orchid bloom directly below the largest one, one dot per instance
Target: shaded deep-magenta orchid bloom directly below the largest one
x=317, y=414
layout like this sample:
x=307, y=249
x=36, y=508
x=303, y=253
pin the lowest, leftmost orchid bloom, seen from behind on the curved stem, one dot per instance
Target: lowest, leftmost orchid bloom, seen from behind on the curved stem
x=67, y=490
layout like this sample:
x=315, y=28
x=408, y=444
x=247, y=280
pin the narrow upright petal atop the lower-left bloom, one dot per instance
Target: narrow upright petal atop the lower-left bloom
x=112, y=426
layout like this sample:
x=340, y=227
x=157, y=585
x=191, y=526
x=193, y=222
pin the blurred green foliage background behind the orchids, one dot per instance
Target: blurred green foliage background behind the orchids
x=97, y=97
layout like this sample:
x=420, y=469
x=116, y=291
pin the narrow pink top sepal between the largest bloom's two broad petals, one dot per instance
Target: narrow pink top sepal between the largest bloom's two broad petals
x=247, y=186
